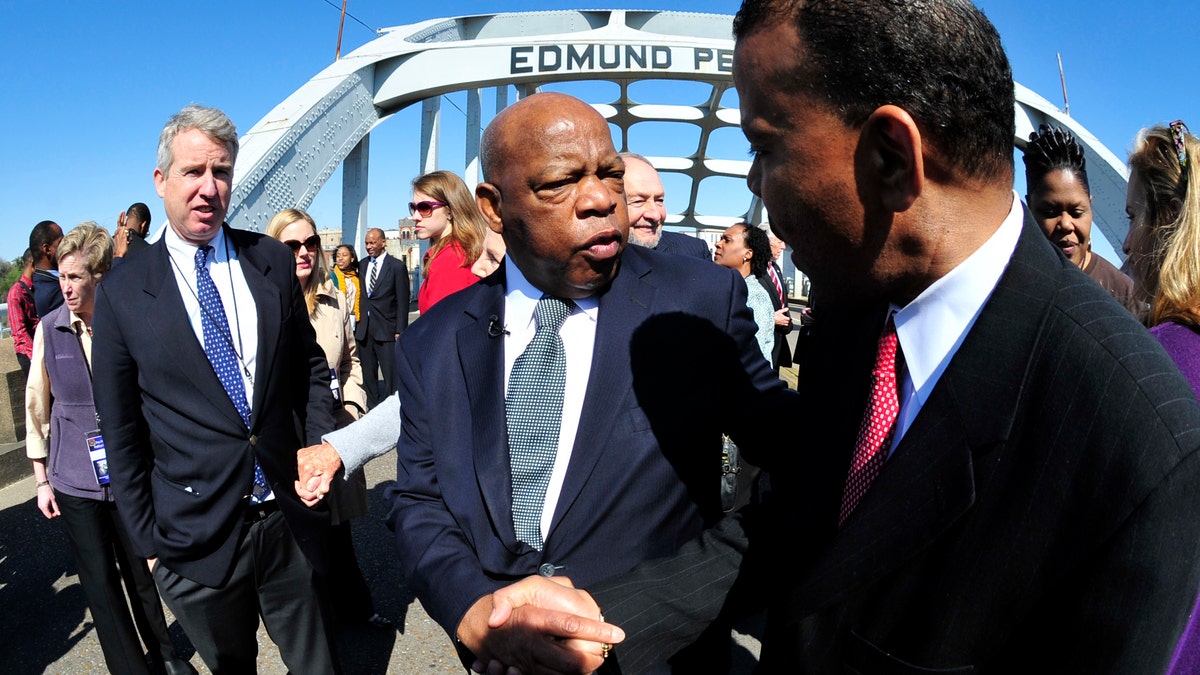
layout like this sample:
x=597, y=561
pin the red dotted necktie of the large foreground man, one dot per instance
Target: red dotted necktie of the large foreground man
x=879, y=423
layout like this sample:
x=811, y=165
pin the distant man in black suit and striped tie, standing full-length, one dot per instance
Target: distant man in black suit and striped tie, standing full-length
x=385, y=315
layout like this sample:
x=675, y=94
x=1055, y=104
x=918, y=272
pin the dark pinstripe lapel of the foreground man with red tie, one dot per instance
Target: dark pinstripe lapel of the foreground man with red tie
x=929, y=482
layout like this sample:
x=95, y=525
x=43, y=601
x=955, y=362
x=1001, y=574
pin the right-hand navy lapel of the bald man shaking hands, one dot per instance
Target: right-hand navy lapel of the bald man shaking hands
x=623, y=308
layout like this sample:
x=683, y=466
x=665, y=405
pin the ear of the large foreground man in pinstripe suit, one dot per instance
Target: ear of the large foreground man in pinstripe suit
x=893, y=154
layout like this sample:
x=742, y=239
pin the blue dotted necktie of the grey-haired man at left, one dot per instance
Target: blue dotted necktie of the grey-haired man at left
x=219, y=349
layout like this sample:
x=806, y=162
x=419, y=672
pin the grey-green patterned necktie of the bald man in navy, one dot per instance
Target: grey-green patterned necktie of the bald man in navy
x=535, y=410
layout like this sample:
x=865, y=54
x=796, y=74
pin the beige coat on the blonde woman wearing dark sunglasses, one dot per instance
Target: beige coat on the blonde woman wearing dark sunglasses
x=332, y=322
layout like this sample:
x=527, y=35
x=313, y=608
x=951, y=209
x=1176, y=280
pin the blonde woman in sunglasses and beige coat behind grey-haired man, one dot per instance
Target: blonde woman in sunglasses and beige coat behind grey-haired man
x=331, y=316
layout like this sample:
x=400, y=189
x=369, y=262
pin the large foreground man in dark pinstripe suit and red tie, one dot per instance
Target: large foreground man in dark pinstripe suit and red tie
x=1001, y=470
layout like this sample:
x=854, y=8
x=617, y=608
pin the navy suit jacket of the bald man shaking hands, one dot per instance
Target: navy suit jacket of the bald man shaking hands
x=645, y=470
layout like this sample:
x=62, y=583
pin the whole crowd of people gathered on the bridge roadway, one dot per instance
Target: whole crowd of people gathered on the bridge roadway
x=1004, y=473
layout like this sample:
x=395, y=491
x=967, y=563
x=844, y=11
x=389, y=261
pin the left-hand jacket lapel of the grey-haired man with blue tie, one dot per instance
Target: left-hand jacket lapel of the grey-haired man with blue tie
x=177, y=334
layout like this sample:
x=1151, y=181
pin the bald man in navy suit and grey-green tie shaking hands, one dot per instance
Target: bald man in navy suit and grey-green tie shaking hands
x=638, y=467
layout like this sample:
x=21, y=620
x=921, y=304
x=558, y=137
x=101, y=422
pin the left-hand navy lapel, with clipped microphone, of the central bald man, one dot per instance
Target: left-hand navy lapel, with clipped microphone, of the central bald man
x=482, y=357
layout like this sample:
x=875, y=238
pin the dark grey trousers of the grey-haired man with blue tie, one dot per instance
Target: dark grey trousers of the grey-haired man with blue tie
x=272, y=580
